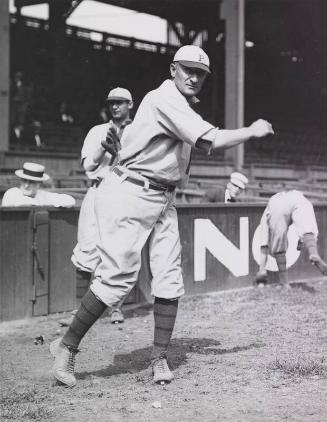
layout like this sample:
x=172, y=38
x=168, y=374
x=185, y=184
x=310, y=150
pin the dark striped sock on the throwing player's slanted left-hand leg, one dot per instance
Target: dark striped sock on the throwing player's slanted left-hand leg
x=89, y=311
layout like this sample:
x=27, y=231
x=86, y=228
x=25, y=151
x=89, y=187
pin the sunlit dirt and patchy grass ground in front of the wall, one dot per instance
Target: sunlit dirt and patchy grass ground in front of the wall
x=246, y=355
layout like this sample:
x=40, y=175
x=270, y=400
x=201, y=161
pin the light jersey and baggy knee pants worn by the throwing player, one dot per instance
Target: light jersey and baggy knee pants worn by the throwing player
x=137, y=200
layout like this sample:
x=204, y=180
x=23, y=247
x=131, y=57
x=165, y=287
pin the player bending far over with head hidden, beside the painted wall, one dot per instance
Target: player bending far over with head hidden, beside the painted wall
x=283, y=209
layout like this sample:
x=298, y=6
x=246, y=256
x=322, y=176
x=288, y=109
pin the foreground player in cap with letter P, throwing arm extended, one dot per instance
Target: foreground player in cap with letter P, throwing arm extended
x=136, y=203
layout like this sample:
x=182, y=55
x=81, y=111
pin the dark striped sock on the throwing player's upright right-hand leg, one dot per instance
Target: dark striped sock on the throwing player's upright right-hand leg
x=164, y=312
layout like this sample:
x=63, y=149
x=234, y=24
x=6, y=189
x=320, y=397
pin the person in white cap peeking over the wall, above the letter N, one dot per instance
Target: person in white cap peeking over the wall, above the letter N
x=235, y=186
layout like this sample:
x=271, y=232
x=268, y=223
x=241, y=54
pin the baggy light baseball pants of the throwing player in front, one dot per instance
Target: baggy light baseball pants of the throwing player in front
x=127, y=216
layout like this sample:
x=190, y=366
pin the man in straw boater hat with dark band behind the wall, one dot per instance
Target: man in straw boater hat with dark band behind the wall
x=29, y=192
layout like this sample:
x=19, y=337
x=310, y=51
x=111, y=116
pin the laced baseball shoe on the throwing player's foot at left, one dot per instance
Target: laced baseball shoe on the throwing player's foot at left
x=63, y=368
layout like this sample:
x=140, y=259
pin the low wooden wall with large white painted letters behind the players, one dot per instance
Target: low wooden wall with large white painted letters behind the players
x=219, y=248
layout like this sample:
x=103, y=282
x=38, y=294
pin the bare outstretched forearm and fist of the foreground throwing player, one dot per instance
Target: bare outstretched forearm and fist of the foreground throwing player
x=225, y=138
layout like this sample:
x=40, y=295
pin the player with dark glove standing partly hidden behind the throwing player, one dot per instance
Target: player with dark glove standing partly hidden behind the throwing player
x=96, y=158
